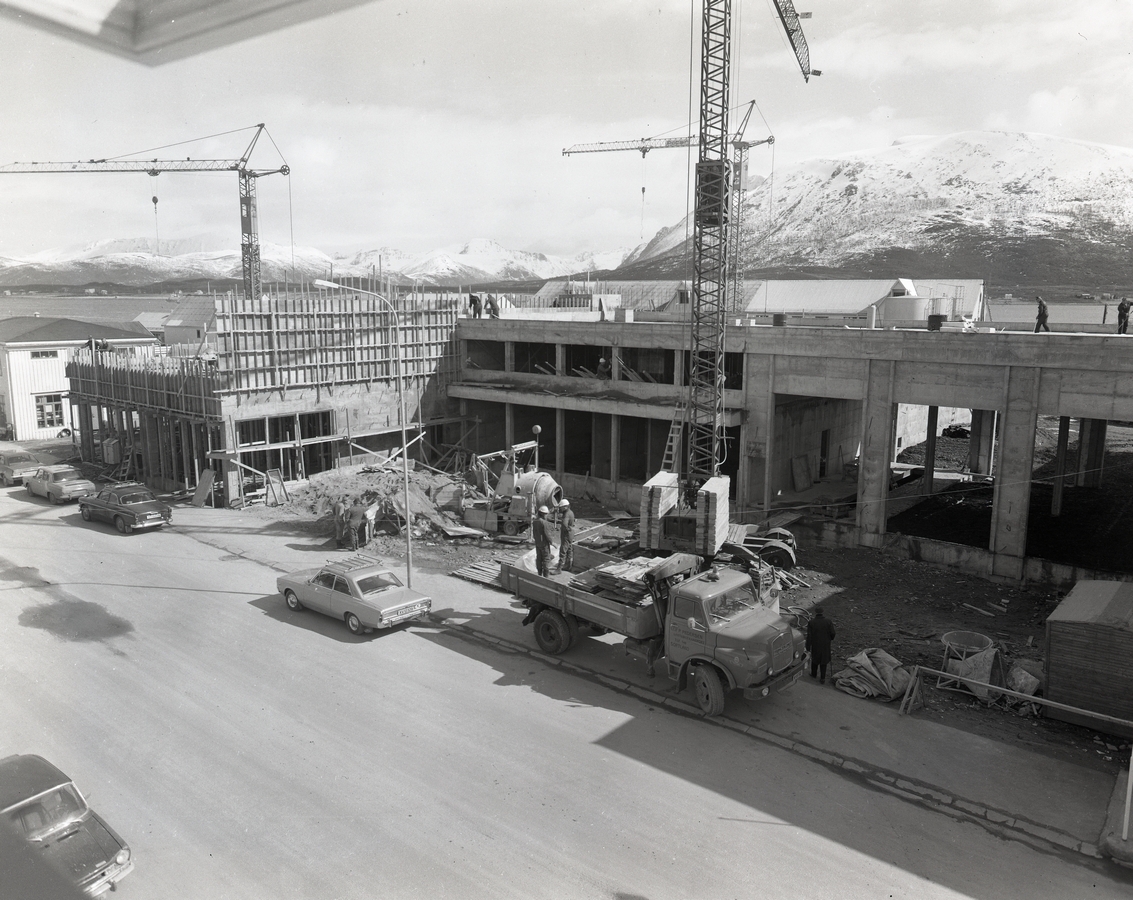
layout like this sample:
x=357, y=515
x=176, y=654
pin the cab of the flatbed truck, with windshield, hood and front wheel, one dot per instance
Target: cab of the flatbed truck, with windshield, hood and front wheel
x=725, y=632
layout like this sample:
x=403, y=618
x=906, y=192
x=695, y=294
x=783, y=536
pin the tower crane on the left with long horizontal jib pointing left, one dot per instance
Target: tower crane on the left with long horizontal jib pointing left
x=250, y=227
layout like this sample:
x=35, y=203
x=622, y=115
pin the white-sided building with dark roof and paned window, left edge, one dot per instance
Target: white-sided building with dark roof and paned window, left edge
x=33, y=360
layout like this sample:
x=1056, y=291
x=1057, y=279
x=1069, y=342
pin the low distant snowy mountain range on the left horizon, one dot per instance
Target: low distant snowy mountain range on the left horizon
x=132, y=262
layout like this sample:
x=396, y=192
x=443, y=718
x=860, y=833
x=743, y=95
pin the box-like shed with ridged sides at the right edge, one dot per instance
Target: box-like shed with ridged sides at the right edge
x=1091, y=653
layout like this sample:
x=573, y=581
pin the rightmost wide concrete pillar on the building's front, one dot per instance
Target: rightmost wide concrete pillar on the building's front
x=1012, y=503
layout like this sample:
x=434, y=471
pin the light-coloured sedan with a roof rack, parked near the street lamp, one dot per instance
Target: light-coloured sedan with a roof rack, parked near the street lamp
x=361, y=591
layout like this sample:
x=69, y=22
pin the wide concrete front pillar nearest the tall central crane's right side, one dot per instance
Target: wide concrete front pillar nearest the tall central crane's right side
x=876, y=453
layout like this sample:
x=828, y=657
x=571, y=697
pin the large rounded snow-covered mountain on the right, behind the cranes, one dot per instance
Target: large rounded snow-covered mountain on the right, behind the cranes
x=982, y=205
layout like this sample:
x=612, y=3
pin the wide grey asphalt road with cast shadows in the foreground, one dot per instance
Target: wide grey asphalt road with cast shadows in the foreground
x=245, y=751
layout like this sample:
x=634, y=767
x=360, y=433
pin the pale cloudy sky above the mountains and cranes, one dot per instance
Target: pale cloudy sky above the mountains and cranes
x=427, y=124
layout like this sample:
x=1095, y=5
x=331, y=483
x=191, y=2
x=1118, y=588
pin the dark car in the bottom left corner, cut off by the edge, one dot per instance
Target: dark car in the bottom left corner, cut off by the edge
x=44, y=805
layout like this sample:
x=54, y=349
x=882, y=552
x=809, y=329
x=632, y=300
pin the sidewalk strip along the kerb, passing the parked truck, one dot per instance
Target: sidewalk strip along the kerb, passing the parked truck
x=1009, y=791
